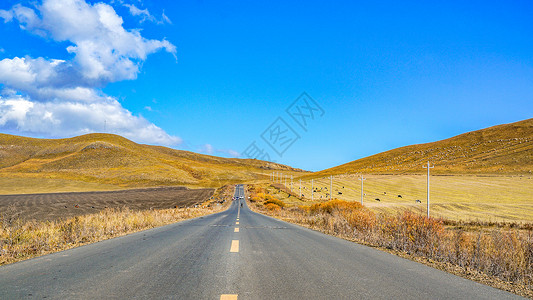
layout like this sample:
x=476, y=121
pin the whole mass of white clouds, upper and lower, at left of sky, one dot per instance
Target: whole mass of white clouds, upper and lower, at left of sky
x=59, y=97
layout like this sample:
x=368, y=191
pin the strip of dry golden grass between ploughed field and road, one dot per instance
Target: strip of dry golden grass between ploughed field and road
x=21, y=240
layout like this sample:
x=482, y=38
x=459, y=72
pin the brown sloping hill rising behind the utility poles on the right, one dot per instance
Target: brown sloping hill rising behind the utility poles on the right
x=502, y=149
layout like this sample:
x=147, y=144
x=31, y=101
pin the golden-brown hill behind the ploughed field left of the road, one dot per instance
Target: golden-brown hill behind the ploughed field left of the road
x=108, y=159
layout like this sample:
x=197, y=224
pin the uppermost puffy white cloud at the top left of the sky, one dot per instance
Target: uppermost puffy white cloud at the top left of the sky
x=104, y=50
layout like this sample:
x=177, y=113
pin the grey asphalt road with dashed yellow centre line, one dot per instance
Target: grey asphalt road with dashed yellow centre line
x=208, y=258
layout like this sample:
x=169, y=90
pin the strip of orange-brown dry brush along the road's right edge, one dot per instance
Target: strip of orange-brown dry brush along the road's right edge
x=501, y=257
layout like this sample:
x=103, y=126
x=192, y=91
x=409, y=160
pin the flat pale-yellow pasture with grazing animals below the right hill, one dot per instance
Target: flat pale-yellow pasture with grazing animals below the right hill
x=455, y=197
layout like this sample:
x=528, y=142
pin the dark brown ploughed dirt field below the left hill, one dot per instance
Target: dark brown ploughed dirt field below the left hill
x=54, y=206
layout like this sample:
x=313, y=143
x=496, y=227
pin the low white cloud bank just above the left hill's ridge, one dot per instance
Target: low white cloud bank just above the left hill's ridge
x=75, y=118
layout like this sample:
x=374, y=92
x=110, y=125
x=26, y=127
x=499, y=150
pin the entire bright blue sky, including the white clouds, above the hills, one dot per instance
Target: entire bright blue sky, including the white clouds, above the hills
x=213, y=76
